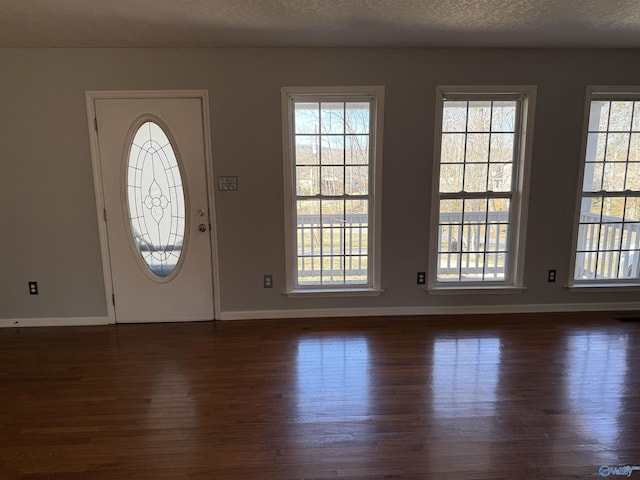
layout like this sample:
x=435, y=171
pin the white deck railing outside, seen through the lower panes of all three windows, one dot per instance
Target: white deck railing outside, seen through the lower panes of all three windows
x=610, y=249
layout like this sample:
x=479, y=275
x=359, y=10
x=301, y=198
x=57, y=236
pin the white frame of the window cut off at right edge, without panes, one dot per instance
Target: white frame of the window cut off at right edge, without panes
x=605, y=93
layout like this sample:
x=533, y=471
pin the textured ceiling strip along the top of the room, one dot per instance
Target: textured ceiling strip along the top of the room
x=320, y=23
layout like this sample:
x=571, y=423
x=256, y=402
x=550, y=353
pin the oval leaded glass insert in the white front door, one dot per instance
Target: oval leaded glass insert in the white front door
x=156, y=199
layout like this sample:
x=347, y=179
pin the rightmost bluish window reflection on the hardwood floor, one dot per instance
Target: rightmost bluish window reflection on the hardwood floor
x=597, y=370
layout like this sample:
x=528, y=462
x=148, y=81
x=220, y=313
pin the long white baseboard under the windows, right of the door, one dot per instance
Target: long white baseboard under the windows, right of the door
x=440, y=310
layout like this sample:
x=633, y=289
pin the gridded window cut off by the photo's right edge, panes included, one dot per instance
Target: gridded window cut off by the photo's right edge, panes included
x=608, y=236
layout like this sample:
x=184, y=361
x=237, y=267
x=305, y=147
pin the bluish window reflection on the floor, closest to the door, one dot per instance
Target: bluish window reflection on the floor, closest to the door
x=332, y=379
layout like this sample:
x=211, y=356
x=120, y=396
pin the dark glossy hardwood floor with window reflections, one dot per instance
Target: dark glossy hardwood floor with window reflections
x=538, y=396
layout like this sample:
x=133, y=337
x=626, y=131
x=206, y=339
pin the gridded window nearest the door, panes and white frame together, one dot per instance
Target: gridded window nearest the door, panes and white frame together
x=332, y=144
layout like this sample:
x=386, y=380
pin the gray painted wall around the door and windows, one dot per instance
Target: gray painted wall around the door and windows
x=47, y=204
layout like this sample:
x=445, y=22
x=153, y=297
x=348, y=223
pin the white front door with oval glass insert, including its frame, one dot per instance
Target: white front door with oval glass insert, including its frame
x=153, y=170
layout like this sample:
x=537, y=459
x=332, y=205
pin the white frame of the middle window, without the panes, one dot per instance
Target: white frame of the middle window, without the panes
x=514, y=274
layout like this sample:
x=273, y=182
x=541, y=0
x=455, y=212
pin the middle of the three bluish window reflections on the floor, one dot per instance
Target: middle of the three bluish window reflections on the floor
x=465, y=376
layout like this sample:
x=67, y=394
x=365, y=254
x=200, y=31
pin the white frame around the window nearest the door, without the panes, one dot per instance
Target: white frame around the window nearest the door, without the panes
x=375, y=95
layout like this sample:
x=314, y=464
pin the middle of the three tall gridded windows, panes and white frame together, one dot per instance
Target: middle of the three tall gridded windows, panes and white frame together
x=478, y=222
